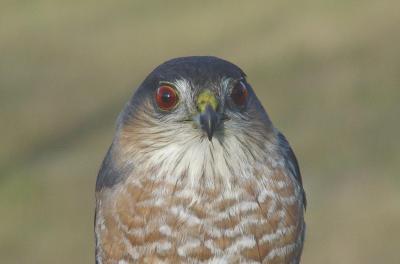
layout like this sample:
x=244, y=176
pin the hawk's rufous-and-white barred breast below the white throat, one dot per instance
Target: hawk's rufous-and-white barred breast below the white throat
x=252, y=215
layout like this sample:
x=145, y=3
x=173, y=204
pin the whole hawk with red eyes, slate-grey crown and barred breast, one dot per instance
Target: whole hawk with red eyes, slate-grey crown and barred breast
x=197, y=173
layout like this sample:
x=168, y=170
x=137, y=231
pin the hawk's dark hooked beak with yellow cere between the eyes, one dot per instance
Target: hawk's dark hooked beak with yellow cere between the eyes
x=207, y=105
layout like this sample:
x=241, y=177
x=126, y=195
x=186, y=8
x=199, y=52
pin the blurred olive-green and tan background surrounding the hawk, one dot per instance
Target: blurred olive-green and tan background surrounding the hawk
x=328, y=72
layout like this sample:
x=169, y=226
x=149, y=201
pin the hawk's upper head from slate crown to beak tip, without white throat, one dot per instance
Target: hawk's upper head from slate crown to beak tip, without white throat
x=206, y=94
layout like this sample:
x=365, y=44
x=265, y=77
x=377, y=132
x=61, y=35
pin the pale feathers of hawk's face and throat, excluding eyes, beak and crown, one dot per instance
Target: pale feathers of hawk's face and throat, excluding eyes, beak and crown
x=175, y=146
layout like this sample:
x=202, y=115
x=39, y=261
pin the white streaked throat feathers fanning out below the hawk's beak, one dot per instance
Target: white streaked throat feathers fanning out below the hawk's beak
x=193, y=161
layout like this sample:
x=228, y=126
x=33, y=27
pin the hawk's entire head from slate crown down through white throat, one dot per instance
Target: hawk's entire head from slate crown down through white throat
x=194, y=116
